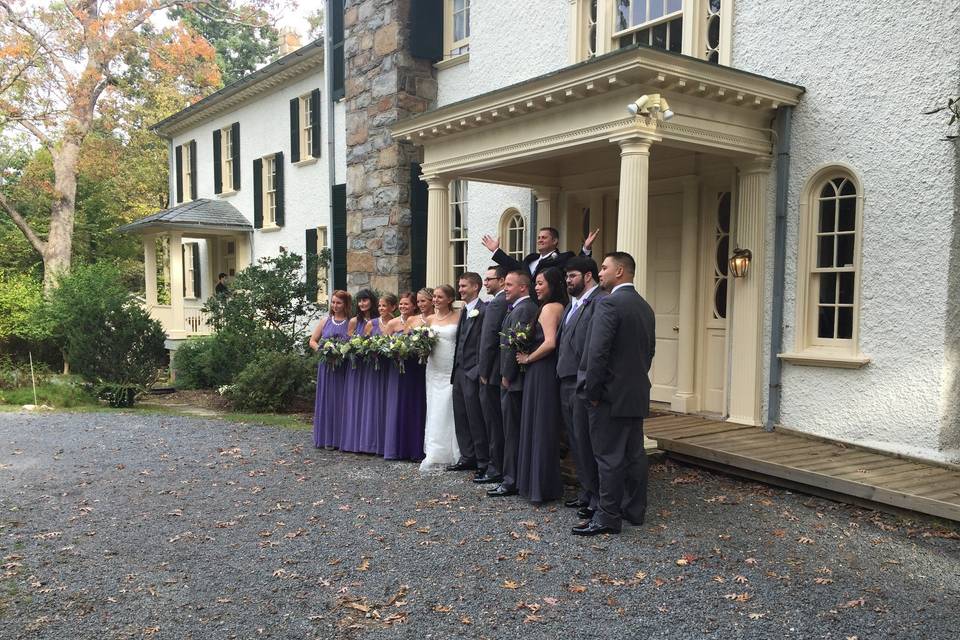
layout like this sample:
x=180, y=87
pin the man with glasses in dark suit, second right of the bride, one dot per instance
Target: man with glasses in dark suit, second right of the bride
x=489, y=372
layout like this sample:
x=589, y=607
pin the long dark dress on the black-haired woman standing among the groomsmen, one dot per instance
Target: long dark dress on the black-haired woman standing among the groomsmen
x=538, y=454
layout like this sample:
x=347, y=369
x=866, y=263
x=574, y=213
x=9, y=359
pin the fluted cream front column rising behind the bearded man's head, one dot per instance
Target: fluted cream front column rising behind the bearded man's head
x=632, y=215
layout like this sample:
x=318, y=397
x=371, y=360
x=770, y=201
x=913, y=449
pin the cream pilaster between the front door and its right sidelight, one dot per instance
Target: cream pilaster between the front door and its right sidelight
x=684, y=399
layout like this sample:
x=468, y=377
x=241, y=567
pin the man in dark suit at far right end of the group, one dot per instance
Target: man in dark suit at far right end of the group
x=616, y=385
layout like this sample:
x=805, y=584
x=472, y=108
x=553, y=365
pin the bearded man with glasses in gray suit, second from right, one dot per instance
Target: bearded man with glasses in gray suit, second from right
x=582, y=279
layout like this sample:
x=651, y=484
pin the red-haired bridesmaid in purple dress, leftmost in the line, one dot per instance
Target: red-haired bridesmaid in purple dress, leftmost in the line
x=331, y=380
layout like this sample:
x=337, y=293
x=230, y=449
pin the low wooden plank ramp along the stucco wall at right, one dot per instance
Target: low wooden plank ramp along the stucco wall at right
x=837, y=470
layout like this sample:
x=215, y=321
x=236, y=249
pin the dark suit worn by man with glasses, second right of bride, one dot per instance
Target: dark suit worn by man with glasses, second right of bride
x=489, y=369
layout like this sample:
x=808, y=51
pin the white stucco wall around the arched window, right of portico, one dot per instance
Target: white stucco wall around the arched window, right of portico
x=869, y=72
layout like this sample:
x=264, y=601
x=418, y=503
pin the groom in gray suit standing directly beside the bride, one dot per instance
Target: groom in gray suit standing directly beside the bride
x=467, y=411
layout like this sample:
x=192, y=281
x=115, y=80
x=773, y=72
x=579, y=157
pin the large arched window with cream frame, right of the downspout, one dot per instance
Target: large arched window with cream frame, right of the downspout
x=828, y=270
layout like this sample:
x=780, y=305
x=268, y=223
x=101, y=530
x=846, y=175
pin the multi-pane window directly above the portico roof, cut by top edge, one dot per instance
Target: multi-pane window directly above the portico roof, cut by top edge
x=657, y=23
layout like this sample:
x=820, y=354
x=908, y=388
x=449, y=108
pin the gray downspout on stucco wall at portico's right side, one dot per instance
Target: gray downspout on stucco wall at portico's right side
x=782, y=128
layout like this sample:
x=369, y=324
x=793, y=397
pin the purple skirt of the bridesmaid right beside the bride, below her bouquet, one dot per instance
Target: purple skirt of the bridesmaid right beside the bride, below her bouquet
x=406, y=409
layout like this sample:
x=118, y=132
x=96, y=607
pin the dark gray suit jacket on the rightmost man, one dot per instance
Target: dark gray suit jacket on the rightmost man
x=619, y=353
